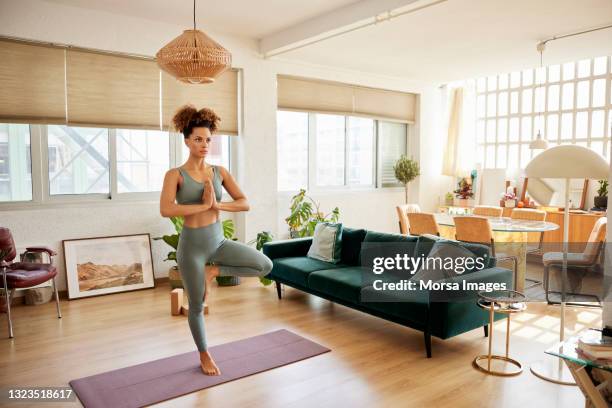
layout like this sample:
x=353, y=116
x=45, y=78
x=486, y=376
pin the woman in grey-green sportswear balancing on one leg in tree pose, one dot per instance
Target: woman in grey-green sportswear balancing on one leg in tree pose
x=196, y=187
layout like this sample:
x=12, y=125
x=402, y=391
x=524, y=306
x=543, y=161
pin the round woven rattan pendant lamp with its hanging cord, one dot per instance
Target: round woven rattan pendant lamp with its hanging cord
x=193, y=57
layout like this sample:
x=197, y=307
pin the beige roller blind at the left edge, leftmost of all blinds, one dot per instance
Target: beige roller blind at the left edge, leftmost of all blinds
x=31, y=83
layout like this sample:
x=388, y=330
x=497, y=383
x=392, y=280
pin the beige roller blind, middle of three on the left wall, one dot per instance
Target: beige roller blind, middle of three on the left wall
x=112, y=91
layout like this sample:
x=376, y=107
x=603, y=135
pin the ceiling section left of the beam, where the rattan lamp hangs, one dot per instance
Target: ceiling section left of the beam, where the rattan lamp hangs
x=254, y=19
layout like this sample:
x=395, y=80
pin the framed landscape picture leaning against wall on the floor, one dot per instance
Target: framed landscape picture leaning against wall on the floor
x=106, y=265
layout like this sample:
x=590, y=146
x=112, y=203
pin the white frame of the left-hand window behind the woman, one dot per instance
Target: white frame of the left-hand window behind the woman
x=41, y=197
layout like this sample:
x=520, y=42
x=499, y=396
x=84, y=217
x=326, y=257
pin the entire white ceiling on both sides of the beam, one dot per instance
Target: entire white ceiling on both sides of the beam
x=452, y=40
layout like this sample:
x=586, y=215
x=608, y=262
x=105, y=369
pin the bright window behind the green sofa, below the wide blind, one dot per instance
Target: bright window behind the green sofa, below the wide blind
x=321, y=151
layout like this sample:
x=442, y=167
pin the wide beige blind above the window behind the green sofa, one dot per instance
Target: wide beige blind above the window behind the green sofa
x=310, y=95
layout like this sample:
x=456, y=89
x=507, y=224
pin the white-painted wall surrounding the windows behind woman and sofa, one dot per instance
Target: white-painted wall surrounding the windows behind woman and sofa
x=256, y=161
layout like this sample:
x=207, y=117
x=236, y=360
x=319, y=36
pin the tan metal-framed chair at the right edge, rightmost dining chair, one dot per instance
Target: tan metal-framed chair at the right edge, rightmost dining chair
x=588, y=259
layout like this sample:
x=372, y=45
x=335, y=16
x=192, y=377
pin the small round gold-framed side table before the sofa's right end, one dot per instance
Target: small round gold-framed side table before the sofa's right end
x=506, y=302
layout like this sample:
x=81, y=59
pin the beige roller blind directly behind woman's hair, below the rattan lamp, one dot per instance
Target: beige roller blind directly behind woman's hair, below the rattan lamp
x=220, y=96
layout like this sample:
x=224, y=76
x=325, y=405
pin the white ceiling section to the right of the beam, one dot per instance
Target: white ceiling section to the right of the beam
x=461, y=39
